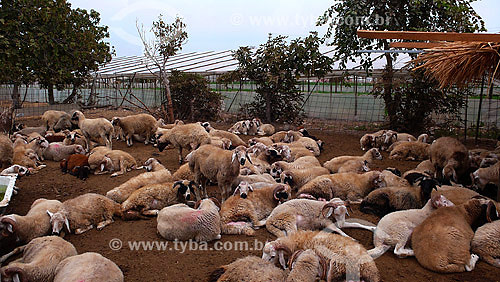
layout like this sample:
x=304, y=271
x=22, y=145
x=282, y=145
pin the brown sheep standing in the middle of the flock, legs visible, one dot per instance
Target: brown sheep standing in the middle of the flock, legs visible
x=217, y=165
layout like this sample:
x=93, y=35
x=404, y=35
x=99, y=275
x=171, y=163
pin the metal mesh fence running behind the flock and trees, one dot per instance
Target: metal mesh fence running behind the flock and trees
x=346, y=102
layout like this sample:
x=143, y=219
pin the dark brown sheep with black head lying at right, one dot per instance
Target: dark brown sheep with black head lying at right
x=388, y=199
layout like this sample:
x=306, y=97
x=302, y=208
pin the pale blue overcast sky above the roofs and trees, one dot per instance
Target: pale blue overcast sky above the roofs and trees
x=215, y=25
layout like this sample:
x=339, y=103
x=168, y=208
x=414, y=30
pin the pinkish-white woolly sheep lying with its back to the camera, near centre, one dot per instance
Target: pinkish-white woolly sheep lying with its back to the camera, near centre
x=180, y=222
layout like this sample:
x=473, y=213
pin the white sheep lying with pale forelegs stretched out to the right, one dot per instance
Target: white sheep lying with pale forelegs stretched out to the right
x=309, y=215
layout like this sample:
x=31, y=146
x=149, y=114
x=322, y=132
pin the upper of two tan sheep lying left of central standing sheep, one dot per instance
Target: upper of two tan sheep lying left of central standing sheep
x=156, y=173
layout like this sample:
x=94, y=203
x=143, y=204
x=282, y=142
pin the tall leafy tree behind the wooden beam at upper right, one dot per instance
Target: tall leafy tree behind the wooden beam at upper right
x=345, y=17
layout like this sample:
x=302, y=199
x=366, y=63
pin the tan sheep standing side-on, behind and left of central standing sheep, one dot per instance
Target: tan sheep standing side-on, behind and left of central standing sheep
x=188, y=136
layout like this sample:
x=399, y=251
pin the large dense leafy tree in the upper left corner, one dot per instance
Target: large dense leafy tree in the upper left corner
x=47, y=41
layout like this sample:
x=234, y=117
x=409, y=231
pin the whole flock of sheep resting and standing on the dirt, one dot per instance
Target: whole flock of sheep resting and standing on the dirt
x=274, y=181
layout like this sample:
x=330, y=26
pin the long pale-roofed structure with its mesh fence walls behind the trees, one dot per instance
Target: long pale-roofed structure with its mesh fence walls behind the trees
x=342, y=99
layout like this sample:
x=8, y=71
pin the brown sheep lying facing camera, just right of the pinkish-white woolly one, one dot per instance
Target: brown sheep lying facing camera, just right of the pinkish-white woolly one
x=253, y=205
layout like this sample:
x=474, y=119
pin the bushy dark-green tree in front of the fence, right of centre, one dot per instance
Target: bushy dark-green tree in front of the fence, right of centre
x=276, y=67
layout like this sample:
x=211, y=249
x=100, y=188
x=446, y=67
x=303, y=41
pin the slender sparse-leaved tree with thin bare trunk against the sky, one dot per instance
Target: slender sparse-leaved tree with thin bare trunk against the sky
x=168, y=40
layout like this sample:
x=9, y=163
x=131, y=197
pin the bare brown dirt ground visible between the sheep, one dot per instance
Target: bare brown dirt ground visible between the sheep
x=174, y=264
